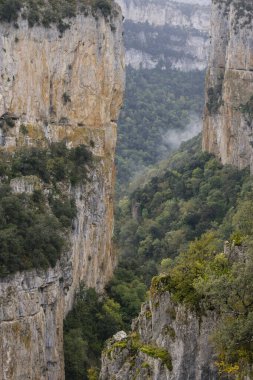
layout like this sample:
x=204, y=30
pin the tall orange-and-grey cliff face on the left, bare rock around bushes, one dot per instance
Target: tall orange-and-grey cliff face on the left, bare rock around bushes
x=59, y=87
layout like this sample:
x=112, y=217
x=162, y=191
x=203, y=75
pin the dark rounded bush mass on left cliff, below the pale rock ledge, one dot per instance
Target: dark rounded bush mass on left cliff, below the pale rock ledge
x=30, y=237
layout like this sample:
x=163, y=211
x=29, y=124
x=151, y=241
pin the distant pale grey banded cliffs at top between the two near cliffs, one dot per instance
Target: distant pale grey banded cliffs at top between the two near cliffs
x=166, y=32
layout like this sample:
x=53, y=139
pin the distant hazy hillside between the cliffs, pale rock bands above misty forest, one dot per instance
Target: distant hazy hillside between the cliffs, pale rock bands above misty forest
x=166, y=54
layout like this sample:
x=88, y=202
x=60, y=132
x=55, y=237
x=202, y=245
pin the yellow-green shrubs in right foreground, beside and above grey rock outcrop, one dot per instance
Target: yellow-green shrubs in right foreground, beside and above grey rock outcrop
x=204, y=279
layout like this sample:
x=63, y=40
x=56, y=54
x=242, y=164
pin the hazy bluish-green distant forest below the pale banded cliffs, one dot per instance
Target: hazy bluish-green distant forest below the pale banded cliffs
x=156, y=101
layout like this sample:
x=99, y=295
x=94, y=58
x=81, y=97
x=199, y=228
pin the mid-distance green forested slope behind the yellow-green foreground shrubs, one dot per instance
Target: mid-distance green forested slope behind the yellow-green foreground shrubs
x=189, y=195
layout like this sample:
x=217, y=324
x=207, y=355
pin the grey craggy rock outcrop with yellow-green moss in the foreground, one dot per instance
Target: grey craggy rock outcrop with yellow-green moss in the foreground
x=162, y=329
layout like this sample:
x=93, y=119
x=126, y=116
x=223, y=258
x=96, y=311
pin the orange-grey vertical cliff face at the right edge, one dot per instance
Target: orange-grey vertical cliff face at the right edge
x=229, y=85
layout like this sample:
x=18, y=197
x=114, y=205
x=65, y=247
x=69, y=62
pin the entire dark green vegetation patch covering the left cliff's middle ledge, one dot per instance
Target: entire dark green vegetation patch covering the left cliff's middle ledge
x=33, y=225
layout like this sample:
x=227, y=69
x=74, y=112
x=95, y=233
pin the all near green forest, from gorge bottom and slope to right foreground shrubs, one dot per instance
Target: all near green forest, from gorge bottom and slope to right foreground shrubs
x=176, y=223
